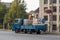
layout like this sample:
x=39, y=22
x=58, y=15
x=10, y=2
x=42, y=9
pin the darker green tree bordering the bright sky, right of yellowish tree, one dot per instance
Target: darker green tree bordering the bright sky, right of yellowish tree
x=22, y=11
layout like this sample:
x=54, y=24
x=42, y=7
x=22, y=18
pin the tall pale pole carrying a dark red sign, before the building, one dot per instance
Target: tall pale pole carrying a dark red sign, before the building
x=50, y=12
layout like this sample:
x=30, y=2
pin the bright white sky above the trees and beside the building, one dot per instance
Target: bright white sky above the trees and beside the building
x=31, y=4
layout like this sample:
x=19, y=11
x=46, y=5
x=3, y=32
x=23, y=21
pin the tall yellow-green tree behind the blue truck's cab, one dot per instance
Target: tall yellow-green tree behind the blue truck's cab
x=11, y=12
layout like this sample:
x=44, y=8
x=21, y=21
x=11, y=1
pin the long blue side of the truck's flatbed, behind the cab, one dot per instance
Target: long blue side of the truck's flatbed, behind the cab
x=39, y=27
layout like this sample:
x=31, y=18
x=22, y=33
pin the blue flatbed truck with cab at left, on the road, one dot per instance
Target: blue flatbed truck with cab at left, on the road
x=18, y=26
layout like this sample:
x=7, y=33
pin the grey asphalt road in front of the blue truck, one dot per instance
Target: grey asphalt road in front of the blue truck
x=9, y=35
